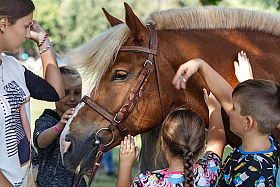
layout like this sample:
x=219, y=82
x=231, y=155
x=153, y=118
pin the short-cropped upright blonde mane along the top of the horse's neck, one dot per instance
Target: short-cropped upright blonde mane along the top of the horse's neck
x=212, y=17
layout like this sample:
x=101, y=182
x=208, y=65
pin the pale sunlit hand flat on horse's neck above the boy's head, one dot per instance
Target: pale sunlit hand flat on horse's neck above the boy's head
x=243, y=69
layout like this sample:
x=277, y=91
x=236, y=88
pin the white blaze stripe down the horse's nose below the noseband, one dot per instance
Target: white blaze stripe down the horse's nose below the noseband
x=63, y=144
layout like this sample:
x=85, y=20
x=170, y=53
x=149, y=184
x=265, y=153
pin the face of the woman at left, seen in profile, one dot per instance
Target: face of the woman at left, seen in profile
x=14, y=35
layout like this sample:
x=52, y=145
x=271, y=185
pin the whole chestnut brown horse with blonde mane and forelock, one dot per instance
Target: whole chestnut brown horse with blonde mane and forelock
x=213, y=34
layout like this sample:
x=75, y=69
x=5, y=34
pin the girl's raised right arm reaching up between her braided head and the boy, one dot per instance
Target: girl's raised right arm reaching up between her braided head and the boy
x=216, y=132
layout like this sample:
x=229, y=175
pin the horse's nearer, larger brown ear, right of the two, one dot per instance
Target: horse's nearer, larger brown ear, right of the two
x=138, y=30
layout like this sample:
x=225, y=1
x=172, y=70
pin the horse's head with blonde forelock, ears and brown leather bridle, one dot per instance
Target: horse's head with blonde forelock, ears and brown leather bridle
x=120, y=77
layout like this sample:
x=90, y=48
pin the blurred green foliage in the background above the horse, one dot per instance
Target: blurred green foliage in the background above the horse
x=71, y=23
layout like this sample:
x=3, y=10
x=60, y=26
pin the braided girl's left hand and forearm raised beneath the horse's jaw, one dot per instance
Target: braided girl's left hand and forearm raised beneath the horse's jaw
x=128, y=155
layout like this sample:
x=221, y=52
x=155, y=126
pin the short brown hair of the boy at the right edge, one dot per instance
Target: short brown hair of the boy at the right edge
x=261, y=100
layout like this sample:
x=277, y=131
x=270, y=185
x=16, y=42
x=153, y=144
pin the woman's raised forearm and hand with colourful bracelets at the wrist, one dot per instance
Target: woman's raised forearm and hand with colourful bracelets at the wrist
x=51, y=71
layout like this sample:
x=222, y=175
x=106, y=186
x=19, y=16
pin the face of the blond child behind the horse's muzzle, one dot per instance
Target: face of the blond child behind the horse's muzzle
x=72, y=95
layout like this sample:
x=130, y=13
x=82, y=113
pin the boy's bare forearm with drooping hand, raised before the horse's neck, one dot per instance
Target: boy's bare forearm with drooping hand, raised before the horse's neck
x=216, y=83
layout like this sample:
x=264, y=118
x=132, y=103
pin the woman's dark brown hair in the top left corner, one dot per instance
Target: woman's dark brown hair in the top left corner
x=15, y=9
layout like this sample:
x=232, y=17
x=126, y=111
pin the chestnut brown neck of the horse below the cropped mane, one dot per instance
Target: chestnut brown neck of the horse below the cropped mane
x=219, y=48
